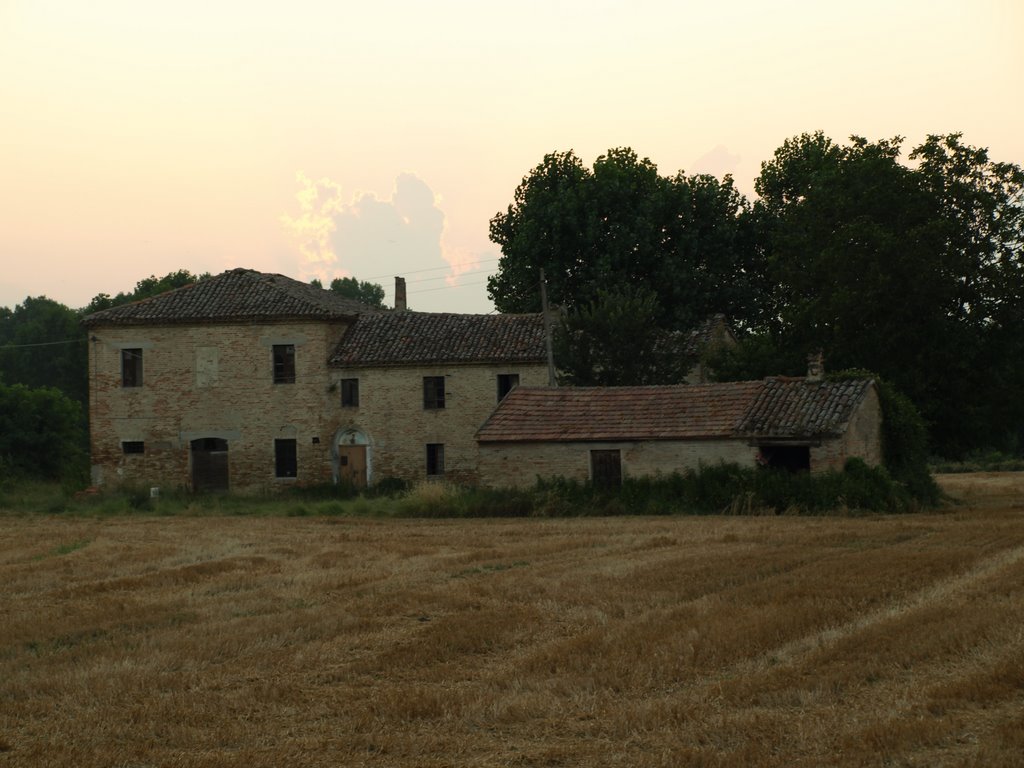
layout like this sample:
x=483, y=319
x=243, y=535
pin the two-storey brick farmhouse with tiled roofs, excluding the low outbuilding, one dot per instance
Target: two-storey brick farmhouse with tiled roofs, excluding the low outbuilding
x=253, y=382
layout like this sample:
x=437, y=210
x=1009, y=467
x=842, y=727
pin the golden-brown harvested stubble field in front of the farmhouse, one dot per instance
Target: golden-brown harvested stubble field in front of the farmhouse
x=726, y=642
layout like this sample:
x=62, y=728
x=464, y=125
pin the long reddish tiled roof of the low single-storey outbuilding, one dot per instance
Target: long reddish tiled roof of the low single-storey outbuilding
x=780, y=409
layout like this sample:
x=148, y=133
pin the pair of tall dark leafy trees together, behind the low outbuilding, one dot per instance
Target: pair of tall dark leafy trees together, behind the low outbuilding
x=912, y=269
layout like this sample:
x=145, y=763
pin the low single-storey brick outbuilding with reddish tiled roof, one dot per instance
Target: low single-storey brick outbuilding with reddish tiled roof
x=602, y=435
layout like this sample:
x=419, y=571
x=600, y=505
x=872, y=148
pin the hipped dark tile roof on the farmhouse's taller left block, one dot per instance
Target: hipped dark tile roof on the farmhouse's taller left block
x=232, y=296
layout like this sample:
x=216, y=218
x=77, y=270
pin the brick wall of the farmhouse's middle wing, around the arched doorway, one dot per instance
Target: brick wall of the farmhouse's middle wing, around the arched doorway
x=393, y=422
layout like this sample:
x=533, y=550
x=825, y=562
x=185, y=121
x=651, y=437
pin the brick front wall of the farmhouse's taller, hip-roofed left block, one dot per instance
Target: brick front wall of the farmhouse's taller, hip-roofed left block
x=210, y=381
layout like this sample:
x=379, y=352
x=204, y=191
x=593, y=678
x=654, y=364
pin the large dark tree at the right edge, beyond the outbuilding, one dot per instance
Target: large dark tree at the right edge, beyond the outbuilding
x=913, y=273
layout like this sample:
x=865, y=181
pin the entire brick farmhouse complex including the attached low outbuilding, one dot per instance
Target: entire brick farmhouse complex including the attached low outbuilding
x=257, y=382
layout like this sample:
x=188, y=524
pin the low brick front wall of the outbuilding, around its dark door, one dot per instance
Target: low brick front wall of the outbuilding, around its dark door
x=521, y=464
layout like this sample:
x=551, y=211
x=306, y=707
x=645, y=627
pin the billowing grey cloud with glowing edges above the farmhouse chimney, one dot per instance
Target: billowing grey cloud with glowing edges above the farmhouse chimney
x=370, y=236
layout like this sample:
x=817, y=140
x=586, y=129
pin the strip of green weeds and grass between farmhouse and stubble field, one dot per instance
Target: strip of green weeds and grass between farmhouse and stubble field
x=722, y=489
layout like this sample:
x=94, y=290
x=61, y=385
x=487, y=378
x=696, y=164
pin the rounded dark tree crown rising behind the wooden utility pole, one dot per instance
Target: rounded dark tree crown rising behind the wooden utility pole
x=687, y=240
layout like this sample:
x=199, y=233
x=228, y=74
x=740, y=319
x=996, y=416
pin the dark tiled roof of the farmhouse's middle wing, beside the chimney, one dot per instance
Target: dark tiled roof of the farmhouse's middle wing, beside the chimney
x=406, y=337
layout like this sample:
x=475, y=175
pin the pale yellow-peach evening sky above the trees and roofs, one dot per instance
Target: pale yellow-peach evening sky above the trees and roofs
x=326, y=140
